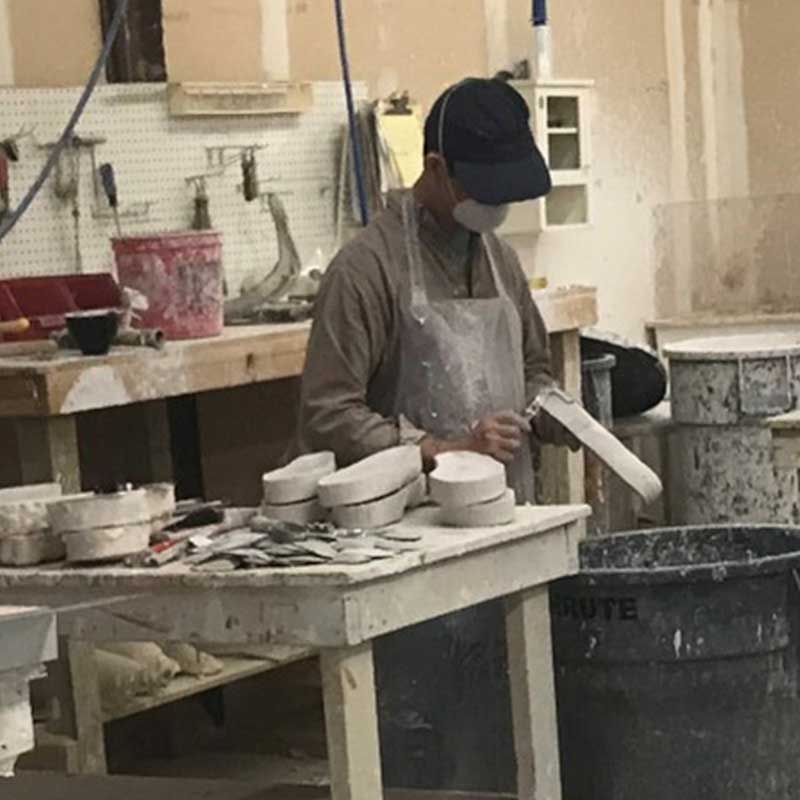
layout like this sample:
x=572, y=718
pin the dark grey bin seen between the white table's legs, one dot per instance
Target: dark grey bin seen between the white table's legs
x=444, y=704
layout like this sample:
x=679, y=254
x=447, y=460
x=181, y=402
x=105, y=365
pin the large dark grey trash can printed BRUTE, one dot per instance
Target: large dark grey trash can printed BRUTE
x=676, y=666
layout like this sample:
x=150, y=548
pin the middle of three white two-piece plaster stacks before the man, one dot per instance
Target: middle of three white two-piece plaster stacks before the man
x=377, y=491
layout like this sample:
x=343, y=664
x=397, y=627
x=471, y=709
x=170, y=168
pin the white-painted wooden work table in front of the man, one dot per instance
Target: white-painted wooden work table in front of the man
x=340, y=611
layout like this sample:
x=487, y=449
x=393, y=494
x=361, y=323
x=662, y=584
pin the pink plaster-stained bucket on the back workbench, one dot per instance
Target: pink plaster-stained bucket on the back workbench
x=180, y=274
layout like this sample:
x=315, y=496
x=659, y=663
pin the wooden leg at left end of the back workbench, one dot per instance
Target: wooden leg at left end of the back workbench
x=48, y=451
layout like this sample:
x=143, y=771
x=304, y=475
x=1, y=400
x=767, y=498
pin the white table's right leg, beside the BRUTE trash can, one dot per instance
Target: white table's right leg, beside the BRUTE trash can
x=530, y=658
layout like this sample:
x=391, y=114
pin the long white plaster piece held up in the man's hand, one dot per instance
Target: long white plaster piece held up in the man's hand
x=594, y=437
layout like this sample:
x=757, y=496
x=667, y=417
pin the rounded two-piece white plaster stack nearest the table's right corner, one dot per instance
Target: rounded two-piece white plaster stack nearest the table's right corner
x=471, y=489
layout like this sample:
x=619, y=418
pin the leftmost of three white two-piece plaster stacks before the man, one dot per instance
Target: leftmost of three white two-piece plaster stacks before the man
x=290, y=493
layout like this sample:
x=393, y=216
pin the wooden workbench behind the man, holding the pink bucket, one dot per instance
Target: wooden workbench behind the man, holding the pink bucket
x=45, y=394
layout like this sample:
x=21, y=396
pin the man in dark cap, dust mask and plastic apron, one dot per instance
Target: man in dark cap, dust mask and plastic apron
x=425, y=330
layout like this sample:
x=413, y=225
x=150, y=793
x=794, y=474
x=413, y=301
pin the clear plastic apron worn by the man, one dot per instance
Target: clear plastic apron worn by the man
x=459, y=359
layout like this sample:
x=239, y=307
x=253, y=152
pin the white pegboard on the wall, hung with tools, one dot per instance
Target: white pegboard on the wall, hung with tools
x=153, y=155
